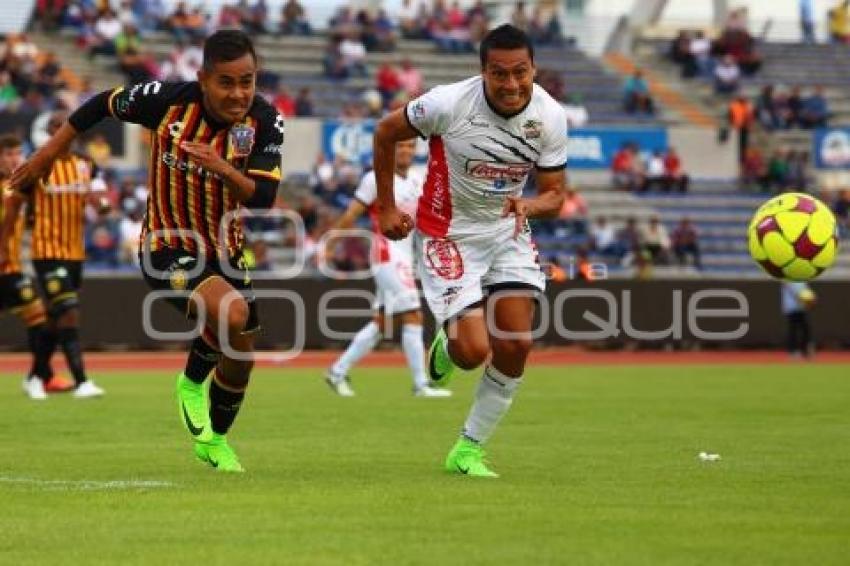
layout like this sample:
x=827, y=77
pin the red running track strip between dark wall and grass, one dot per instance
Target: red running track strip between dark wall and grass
x=19, y=363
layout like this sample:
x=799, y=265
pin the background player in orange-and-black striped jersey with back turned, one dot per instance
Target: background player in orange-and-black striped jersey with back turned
x=58, y=203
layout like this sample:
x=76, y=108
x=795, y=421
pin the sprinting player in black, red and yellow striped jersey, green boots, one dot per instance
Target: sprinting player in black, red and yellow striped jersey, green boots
x=215, y=148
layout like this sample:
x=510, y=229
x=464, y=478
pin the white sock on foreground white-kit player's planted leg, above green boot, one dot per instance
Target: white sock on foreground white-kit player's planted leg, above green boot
x=492, y=400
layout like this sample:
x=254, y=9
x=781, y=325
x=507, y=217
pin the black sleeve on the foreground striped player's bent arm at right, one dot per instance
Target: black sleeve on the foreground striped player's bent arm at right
x=263, y=163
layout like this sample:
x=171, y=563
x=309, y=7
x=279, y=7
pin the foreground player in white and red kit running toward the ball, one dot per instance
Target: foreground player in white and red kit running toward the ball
x=478, y=265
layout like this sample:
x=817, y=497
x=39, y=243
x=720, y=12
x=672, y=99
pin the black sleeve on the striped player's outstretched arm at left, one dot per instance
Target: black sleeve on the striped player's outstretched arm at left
x=142, y=103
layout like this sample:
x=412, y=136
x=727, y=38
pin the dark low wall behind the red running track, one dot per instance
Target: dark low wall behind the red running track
x=616, y=311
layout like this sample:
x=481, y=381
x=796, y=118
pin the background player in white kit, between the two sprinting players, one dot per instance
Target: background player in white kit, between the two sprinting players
x=397, y=301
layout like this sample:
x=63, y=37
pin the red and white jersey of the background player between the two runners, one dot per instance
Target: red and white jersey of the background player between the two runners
x=407, y=192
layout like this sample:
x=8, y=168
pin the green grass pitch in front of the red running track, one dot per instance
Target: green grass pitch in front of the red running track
x=599, y=466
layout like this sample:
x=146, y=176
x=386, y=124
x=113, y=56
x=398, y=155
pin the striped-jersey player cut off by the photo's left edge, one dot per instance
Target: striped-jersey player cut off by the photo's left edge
x=17, y=292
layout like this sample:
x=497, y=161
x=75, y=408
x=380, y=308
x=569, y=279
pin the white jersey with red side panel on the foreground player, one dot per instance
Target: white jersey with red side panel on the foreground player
x=478, y=157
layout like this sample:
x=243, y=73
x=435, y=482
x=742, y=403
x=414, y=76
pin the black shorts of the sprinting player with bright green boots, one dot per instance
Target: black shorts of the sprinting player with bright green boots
x=174, y=271
